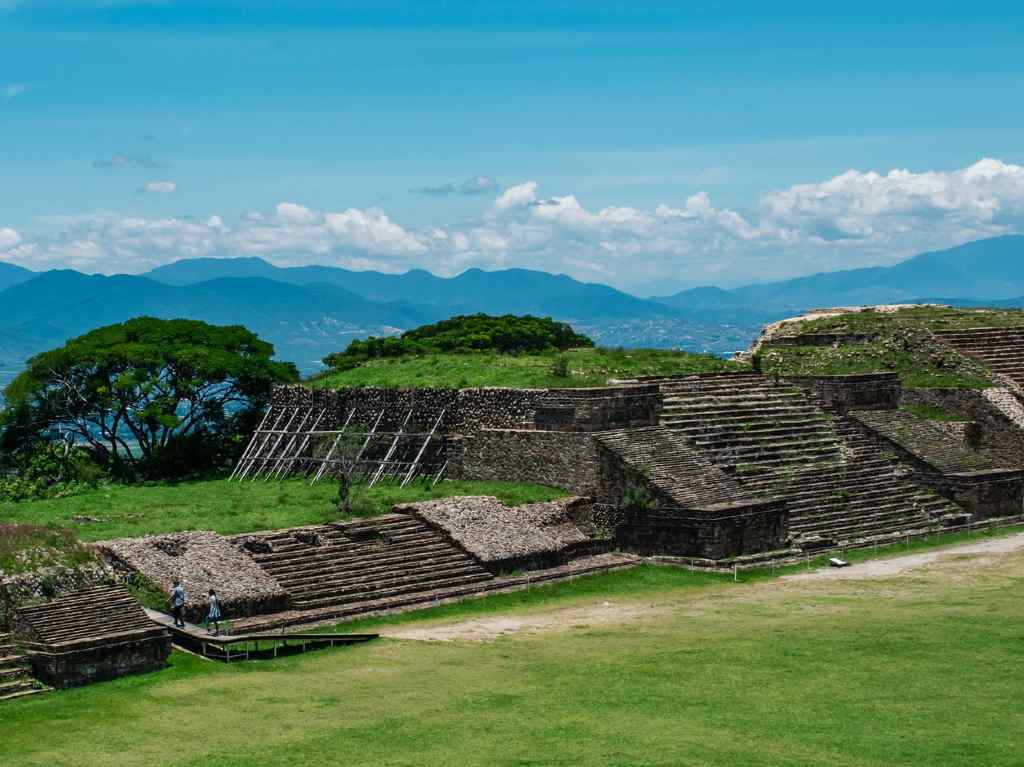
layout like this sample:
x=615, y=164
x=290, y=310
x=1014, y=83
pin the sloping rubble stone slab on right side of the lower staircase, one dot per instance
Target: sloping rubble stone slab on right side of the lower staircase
x=506, y=538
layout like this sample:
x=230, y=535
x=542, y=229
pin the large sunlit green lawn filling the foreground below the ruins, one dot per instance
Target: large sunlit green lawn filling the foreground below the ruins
x=925, y=669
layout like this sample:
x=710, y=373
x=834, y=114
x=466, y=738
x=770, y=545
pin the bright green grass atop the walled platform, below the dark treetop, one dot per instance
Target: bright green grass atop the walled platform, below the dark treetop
x=587, y=368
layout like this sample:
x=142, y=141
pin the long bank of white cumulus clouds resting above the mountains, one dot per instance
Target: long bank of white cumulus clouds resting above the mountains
x=855, y=220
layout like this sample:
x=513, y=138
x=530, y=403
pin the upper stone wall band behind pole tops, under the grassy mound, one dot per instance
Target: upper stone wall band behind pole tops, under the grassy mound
x=466, y=411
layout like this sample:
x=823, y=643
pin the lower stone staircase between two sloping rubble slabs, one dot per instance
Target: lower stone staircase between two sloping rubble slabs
x=367, y=566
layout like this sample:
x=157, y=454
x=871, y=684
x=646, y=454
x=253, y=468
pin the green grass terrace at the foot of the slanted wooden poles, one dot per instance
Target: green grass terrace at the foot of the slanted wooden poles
x=121, y=512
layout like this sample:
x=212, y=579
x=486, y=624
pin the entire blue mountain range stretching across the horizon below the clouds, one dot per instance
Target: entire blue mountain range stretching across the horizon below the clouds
x=310, y=312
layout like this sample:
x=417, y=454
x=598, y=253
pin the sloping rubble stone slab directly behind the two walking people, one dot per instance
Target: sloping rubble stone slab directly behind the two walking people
x=202, y=562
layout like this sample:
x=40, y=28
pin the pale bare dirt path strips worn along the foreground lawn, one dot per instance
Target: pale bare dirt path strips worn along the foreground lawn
x=490, y=628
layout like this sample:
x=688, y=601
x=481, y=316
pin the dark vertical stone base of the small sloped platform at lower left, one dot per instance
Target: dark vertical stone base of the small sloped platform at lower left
x=108, y=661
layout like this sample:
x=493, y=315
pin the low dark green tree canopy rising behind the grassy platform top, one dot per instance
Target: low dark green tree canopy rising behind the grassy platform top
x=508, y=334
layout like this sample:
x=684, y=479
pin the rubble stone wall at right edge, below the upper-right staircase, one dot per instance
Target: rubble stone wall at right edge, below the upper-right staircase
x=997, y=412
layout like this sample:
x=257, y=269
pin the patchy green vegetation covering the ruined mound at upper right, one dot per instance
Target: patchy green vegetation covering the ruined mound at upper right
x=901, y=342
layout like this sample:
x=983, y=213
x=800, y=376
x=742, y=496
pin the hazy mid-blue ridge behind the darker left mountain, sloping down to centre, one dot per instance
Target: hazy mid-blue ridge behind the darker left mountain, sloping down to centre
x=505, y=291
